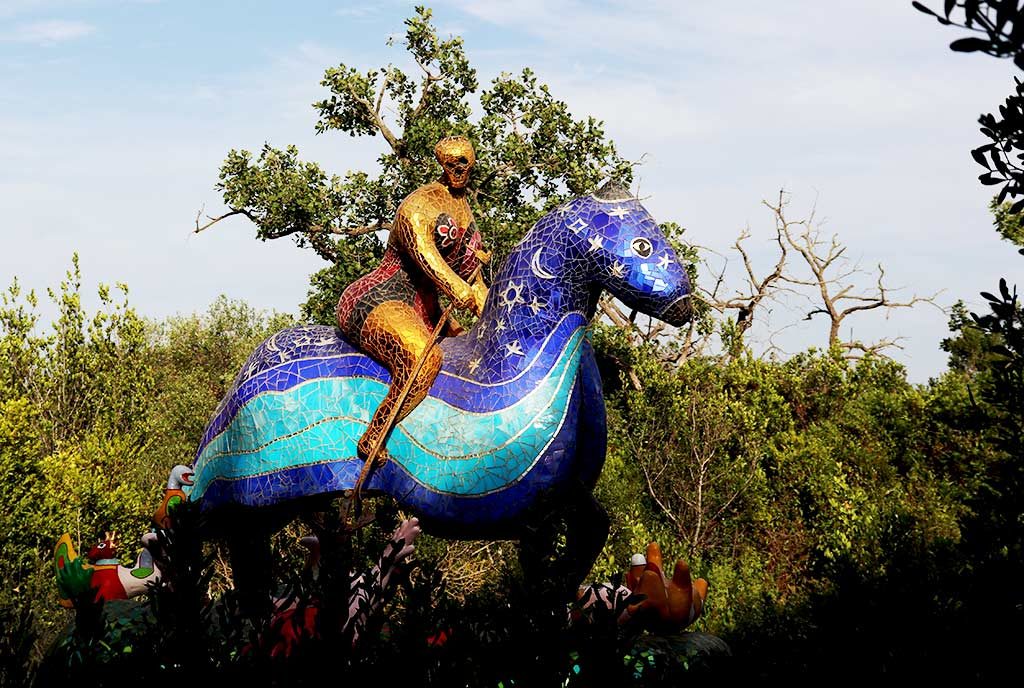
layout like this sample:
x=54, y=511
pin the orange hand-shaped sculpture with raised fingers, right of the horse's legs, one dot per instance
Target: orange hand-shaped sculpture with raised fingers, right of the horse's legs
x=671, y=605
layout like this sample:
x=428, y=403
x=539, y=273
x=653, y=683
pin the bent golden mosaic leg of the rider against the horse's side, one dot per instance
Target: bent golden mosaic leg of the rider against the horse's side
x=397, y=336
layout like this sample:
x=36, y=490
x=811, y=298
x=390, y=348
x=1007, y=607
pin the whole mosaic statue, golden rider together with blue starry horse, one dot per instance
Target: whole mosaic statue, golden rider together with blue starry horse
x=481, y=436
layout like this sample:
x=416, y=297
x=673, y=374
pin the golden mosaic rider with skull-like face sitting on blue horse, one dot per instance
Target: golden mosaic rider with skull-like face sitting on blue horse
x=392, y=313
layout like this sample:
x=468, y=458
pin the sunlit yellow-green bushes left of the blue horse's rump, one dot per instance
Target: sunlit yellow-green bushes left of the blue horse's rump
x=95, y=411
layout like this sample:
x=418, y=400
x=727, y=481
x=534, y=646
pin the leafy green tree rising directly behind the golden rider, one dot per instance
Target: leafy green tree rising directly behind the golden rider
x=533, y=154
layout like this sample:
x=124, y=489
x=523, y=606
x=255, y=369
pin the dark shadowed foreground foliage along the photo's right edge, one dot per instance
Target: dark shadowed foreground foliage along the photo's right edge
x=994, y=345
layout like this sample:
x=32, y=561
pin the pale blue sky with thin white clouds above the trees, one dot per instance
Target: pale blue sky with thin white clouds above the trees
x=115, y=116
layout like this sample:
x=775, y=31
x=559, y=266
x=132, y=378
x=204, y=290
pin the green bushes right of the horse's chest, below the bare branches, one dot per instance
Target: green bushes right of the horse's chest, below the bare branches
x=779, y=481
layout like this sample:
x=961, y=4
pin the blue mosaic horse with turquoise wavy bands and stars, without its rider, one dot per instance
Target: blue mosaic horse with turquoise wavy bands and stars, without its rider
x=517, y=414
